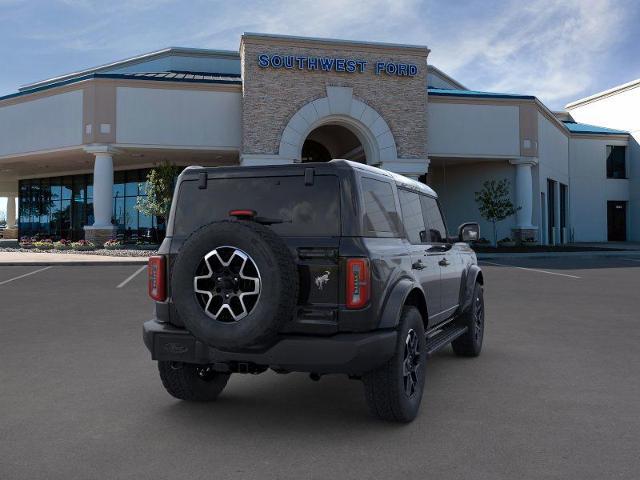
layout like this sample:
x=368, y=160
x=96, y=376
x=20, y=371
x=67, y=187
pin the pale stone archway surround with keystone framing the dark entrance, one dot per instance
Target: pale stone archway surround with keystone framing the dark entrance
x=341, y=109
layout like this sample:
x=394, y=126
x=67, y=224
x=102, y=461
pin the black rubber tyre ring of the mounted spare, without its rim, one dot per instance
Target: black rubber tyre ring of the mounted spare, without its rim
x=279, y=285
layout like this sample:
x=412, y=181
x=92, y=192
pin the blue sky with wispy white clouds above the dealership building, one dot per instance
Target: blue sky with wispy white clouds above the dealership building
x=557, y=50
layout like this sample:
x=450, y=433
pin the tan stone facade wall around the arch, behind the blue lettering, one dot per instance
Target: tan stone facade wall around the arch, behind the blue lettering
x=272, y=96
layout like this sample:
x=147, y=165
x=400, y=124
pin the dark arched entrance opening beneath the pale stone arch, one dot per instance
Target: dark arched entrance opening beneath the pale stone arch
x=332, y=141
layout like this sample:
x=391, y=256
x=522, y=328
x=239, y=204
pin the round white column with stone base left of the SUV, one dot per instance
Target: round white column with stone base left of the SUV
x=102, y=228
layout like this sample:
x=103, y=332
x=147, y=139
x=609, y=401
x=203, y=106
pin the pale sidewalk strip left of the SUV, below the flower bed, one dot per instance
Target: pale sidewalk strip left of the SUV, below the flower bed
x=36, y=259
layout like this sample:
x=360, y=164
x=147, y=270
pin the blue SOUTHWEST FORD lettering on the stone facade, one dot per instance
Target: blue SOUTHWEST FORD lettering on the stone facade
x=334, y=64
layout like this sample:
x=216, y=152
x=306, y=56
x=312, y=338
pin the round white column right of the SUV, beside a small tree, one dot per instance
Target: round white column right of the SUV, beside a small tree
x=524, y=229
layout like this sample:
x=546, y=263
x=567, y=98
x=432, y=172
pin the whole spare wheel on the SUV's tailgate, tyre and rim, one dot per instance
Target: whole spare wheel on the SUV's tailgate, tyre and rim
x=234, y=283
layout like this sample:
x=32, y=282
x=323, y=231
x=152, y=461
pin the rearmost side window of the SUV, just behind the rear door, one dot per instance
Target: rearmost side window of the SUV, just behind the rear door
x=381, y=216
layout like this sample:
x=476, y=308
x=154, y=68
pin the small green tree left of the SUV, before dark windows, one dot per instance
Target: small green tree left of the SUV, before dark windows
x=160, y=183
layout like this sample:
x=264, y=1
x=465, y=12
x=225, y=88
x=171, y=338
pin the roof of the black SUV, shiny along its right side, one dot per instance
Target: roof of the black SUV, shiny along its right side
x=400, y=180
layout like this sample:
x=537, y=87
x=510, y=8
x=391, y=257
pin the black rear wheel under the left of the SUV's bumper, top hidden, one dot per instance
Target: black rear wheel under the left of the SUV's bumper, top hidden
x=187, y=381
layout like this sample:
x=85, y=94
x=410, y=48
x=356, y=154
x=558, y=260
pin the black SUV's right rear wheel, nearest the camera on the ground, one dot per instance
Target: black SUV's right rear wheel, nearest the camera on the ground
x=394, y=391
